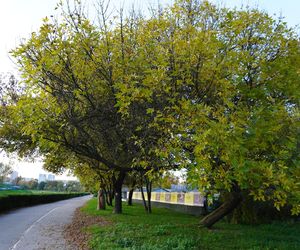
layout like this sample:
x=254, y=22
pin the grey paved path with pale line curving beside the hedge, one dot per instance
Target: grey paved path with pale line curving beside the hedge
x=38, y=227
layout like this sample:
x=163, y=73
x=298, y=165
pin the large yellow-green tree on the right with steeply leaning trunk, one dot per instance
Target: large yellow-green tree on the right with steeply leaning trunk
x=230, y=79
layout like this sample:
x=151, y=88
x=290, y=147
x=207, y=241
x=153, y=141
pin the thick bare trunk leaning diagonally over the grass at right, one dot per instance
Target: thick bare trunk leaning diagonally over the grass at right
x=228, y=206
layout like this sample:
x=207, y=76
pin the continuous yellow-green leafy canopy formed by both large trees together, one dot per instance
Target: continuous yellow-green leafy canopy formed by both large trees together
x=212, y=90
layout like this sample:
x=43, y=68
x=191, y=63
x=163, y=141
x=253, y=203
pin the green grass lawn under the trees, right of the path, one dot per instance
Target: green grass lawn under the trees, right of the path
x=165, y=229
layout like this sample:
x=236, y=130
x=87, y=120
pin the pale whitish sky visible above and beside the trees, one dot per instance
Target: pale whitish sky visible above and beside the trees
x=18, y=18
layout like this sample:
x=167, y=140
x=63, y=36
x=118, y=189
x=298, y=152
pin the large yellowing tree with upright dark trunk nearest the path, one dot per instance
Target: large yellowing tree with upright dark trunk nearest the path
x=71, y=70
